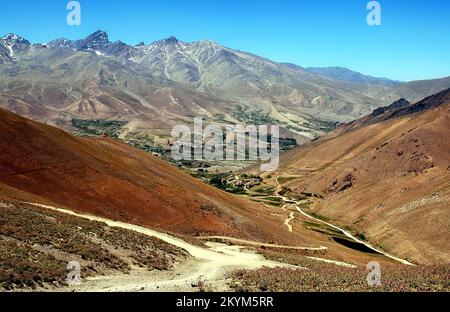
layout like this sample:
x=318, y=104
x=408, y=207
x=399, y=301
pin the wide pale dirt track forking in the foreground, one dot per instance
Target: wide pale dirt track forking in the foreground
x=211, y=264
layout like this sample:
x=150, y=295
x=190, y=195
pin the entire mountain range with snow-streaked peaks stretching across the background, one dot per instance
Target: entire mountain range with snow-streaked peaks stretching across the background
x=154, y=86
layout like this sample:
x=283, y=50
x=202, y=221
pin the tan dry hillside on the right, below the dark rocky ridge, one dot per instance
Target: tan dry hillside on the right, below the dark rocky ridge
x=390, y=181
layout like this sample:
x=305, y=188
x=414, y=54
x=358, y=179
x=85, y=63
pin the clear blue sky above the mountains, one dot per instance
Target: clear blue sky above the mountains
x=412, y=43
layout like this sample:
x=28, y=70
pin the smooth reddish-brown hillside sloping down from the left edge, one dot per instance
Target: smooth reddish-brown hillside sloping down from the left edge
x=100, y=176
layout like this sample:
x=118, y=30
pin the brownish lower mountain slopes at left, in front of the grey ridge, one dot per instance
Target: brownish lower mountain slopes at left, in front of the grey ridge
x=55, y=85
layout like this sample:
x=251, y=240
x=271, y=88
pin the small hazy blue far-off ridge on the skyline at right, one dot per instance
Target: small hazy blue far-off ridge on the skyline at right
x=342, y=73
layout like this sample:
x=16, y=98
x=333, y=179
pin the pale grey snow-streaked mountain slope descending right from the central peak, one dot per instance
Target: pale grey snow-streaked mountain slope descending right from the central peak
x=277, y=89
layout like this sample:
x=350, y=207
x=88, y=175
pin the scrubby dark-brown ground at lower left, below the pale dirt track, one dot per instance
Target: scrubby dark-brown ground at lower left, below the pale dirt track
x=37, y=244
